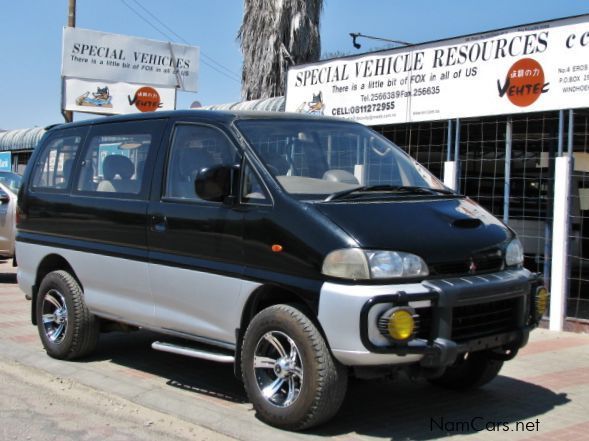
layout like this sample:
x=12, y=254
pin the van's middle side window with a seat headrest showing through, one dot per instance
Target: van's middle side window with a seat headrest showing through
x=115, y=158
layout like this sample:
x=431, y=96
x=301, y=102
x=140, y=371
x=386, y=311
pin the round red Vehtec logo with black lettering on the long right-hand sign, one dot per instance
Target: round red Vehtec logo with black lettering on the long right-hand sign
x=524, y=82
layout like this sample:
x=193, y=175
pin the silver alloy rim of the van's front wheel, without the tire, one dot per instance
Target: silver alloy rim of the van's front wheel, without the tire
x=278, y=369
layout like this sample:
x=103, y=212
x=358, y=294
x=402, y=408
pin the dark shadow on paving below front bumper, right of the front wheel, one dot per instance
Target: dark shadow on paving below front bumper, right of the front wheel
x=408, y=410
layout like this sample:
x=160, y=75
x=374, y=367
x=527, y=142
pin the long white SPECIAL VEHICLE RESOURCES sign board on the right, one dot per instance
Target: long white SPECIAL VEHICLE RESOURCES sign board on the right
x=544, y=66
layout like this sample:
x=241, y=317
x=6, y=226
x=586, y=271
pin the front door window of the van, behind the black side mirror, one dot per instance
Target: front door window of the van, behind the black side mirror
x=194, y=148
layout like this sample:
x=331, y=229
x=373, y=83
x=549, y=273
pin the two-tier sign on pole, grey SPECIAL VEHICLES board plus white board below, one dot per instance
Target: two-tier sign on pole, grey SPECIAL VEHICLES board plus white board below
x=111, y=74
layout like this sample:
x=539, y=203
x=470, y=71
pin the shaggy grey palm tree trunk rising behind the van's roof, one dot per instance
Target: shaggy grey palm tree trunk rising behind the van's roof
x=274, y=35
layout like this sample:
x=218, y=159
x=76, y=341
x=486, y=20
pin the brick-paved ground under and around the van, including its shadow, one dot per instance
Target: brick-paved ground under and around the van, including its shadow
x=543, y=394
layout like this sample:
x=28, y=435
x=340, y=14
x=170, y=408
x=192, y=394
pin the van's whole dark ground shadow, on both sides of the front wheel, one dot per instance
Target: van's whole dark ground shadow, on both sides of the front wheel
x=385, y=409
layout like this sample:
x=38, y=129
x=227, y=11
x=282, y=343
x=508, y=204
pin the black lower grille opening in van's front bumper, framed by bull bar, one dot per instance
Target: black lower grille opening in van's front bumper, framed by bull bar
x=483, y=319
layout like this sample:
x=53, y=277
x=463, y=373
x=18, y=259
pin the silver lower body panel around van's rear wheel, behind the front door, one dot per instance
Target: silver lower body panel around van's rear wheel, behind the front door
x=115, y=287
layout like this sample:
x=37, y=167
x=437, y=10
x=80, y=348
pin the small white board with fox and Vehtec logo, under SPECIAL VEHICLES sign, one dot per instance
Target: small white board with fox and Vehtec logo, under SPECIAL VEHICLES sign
x=108, y=98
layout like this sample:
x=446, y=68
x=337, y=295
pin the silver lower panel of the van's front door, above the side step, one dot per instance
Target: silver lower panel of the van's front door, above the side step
x=198, y=303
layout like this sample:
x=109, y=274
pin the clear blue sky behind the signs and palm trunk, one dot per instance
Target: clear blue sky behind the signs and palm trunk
x=31, y=32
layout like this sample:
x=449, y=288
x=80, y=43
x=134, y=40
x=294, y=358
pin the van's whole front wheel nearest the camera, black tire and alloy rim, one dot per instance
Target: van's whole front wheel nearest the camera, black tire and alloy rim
x=288, y=372
